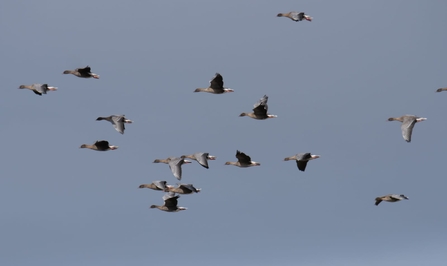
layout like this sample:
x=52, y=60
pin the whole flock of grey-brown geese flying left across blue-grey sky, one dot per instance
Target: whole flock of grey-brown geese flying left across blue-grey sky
x=259, y=112
